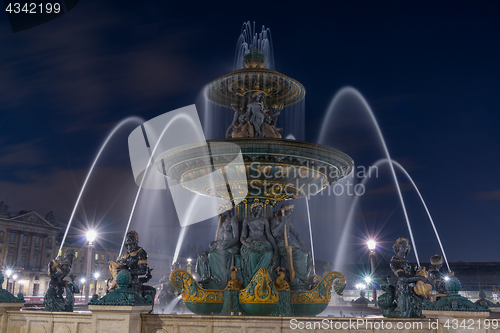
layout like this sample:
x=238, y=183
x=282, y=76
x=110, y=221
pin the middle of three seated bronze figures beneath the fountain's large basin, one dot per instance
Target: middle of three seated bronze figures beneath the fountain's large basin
x=258, y=247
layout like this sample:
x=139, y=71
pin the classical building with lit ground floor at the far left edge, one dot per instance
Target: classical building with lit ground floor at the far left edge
x=27, y=245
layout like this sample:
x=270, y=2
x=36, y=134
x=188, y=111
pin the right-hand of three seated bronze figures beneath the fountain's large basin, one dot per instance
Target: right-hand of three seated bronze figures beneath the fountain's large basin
x=296, y=261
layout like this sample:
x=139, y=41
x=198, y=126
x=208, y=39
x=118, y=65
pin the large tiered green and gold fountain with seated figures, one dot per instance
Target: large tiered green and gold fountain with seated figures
x=271, y=274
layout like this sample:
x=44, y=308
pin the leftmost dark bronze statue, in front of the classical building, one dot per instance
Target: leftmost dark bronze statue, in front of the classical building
x=58, y=270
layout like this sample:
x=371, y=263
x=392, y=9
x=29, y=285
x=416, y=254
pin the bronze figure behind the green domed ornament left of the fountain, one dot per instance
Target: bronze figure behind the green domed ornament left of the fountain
x=135, y=260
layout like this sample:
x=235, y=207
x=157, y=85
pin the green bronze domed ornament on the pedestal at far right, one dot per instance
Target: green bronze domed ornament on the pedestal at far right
x=453, y=301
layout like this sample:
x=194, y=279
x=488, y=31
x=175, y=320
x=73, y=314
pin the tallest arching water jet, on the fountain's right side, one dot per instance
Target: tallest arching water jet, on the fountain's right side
x=346, y=91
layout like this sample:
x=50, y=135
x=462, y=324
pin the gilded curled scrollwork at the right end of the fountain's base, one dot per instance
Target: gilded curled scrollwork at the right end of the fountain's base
x=322, y=293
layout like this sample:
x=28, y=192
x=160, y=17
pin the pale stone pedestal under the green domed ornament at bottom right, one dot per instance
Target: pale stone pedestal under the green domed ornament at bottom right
x=459, y=321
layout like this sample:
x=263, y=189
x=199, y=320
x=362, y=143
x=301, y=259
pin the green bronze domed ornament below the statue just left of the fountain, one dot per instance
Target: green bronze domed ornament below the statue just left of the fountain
x=123, y=295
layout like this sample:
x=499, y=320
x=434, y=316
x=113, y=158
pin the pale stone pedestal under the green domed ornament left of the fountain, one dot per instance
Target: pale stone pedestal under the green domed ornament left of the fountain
x=117, y=319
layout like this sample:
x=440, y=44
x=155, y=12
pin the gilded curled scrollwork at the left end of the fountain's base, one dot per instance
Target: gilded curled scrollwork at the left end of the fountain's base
x=186, y=285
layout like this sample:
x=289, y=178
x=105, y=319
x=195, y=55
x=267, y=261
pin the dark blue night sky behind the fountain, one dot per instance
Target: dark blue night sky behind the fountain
x=429, y=72
